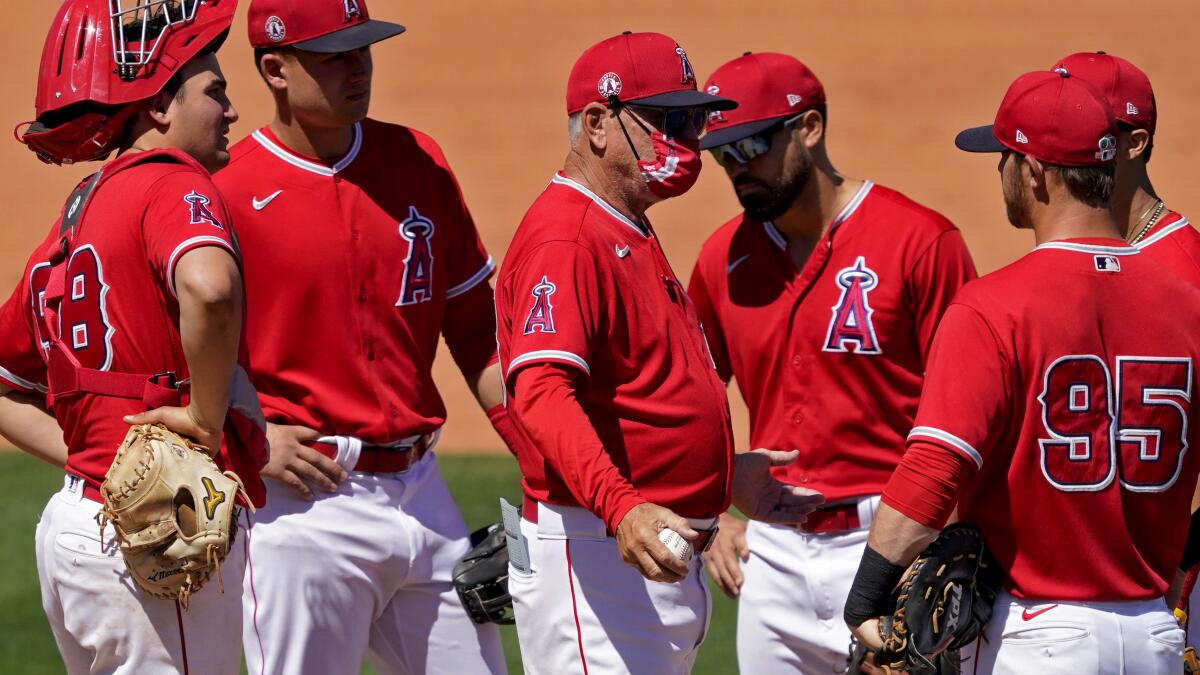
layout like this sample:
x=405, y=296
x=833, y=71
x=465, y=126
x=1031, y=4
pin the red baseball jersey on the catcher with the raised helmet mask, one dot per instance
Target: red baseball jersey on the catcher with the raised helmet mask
x=119, y=310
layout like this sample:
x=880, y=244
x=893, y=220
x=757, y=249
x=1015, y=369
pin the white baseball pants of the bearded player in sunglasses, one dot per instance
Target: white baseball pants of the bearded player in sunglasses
x=790, y=612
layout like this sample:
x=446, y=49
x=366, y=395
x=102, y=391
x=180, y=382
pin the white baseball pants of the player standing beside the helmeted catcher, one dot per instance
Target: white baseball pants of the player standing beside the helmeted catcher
x=364, y=572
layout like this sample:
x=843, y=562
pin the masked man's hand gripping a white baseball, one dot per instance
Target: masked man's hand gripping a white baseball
x=638, y=539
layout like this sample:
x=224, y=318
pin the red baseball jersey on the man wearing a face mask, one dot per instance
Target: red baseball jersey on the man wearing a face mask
x=589, y=289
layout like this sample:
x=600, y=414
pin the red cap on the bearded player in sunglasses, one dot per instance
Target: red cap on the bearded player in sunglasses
x=767, y=87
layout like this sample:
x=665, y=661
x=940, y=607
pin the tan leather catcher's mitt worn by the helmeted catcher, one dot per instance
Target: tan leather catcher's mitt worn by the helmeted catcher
x=172, y=510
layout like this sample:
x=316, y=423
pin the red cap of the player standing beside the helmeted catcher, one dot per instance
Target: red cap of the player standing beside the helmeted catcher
x=326, y=27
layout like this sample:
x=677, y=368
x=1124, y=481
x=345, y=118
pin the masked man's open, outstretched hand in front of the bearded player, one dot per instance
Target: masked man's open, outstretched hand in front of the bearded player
x=759, y=495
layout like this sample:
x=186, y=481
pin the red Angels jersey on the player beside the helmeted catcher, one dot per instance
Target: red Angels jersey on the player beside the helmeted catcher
x=350, y=272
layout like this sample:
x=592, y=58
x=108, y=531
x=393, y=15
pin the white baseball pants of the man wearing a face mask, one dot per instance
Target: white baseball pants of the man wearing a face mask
x=583, y=611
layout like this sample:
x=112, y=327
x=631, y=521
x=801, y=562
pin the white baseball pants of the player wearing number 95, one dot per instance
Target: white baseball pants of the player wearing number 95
x=1048, y=638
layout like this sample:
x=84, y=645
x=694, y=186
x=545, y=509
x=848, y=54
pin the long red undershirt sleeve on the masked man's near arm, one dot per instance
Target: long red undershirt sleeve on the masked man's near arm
x=551, y=416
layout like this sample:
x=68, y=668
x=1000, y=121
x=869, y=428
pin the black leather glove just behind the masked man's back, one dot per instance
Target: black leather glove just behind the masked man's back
x=482, y=577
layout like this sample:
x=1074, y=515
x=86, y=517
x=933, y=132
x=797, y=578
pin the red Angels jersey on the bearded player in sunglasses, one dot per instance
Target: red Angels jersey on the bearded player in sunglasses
x=830, y=359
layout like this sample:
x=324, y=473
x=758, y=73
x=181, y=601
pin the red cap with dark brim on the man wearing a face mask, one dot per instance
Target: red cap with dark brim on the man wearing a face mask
x=647, y=69
